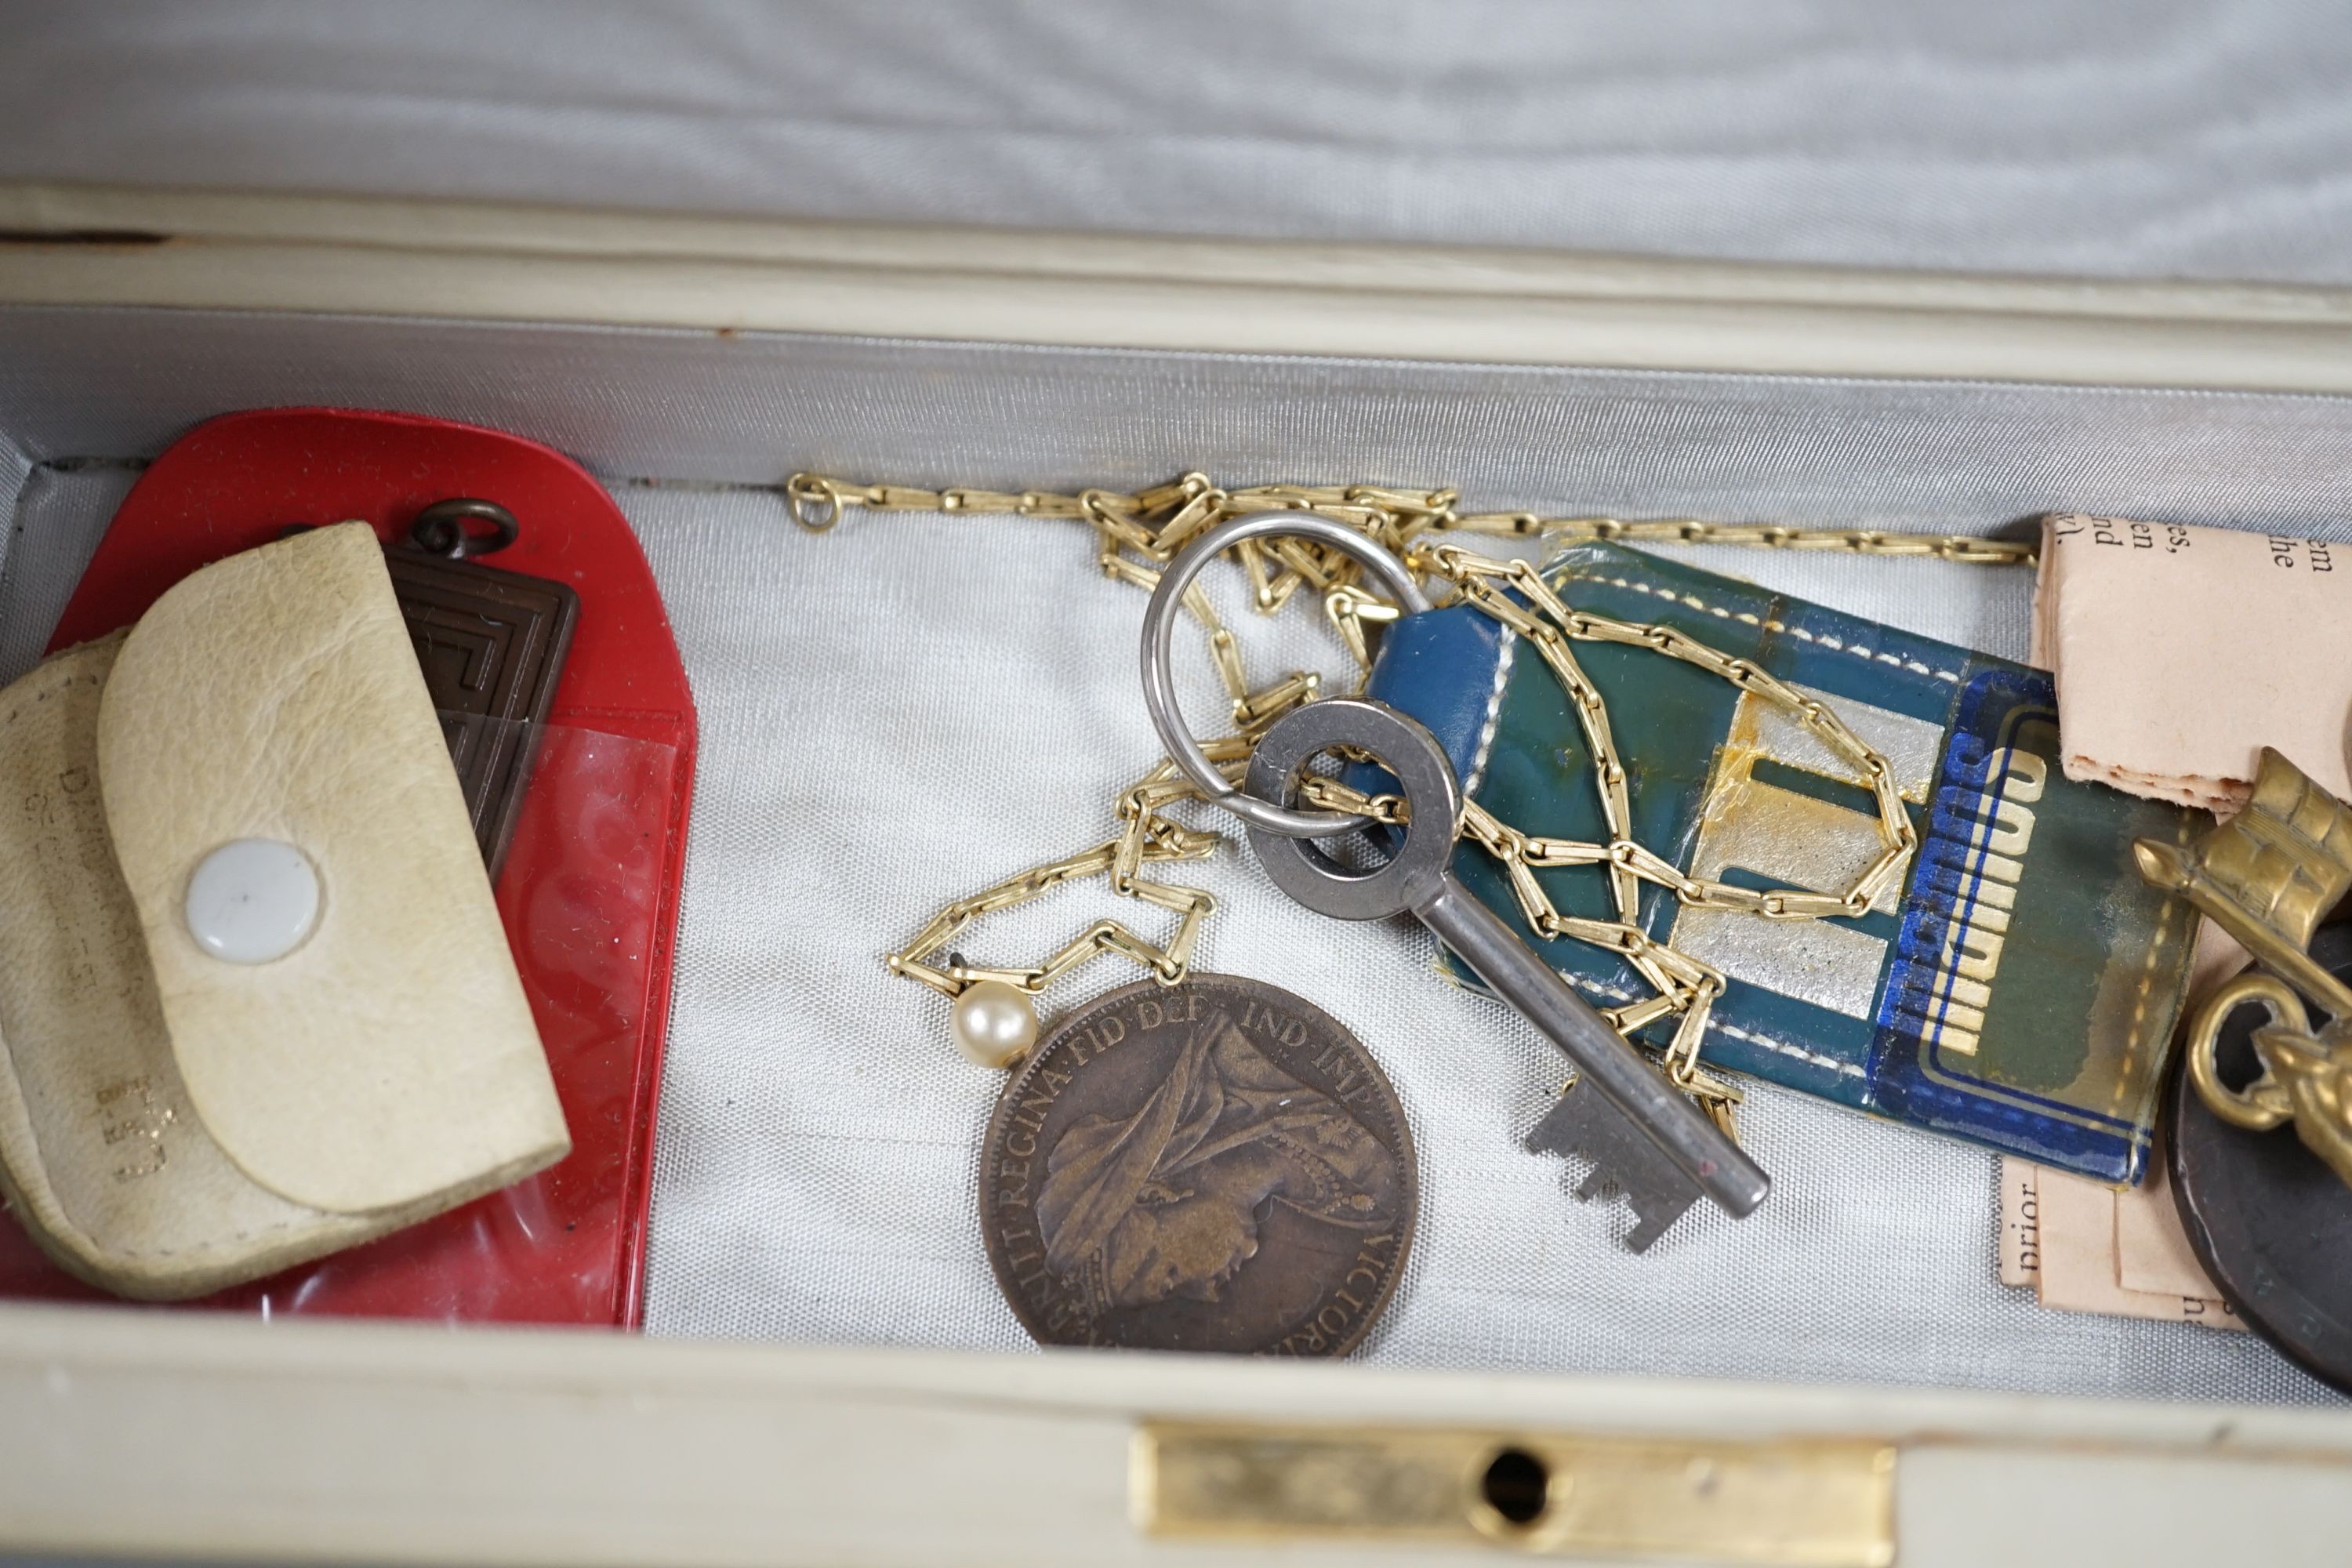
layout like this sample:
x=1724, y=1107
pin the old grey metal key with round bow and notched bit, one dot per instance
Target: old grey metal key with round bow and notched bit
x=1622, y=1113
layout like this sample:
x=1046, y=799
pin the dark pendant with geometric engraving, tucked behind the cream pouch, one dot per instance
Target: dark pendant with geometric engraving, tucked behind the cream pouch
x=493, y=648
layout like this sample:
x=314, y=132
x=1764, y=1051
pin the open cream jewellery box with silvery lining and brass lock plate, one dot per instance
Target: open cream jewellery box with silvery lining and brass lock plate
x=911, y=706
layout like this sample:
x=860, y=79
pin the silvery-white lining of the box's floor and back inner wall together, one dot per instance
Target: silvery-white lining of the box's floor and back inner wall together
x=909, y=709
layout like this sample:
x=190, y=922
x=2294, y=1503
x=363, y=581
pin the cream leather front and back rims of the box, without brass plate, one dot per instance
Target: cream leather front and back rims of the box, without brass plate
x=363, y=1442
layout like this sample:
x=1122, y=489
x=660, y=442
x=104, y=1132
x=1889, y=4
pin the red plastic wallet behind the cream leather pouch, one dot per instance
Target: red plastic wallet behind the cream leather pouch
x=592, y=880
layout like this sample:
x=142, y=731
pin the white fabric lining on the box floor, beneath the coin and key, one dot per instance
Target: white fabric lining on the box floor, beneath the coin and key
x=916, y=706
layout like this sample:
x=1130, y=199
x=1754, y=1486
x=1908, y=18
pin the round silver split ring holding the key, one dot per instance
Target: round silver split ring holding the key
x=1161, y=638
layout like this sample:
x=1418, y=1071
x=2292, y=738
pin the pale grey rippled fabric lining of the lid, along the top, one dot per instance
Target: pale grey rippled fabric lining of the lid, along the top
x=2167, y=140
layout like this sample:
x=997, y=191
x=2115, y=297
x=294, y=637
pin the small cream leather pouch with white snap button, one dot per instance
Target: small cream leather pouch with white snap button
x=175, y=1123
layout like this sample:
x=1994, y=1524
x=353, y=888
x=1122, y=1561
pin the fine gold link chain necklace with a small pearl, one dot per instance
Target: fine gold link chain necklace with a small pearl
x=1142, y=532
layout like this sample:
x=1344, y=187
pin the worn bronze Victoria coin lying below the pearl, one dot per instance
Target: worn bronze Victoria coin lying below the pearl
x=1201, y=1167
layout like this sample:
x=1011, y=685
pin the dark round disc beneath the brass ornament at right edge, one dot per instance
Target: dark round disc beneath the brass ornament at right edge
x=2269, y=1219
